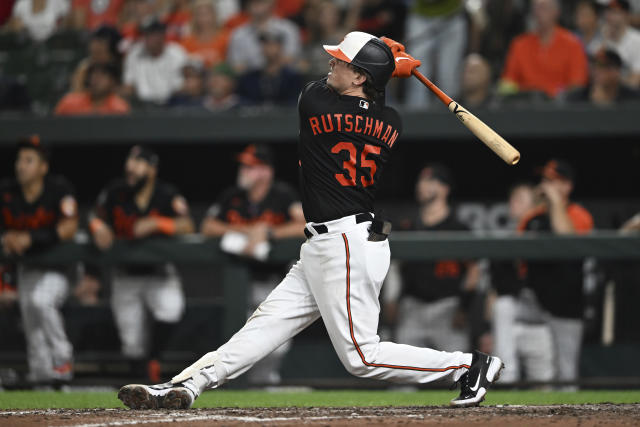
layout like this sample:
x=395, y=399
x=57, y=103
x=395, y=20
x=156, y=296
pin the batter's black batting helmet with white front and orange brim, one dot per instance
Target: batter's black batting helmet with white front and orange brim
x=367, y=52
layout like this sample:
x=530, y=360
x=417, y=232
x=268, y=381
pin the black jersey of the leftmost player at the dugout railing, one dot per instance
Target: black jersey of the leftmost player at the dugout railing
x=56, y=202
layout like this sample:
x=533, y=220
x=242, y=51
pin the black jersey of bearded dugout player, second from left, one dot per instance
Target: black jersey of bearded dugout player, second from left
x=117, y=207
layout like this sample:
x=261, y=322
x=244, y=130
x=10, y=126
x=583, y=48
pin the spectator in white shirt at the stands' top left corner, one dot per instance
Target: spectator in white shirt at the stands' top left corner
x=39, y=18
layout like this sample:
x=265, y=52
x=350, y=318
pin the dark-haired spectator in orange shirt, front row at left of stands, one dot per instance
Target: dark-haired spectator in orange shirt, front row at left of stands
x=99, y=97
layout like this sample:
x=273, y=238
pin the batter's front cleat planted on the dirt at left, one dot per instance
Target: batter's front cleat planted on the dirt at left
x=167, y=395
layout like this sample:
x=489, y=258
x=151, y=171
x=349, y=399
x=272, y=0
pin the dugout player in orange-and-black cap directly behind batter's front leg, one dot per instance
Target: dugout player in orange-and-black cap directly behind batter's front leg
x=248, y=216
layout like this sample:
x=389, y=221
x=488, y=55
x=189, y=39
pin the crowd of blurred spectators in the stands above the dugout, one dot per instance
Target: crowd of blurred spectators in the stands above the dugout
x=223, y=54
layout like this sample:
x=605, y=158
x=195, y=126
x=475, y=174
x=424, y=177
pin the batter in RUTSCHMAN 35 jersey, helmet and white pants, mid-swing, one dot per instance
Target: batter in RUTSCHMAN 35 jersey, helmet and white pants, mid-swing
x=346, y=138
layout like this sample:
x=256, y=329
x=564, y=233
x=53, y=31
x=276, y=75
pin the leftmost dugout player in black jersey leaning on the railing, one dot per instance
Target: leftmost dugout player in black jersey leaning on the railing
x=38, y=211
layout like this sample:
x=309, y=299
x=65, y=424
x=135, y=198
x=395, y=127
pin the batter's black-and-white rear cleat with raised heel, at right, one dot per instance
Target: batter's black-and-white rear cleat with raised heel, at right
x=484, y=371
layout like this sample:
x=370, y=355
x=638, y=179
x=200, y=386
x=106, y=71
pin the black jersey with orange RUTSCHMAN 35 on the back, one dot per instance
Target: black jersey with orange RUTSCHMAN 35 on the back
x=345, y=143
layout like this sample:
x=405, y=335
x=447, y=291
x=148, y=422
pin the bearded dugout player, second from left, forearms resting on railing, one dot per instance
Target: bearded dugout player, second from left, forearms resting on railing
x=135, y=207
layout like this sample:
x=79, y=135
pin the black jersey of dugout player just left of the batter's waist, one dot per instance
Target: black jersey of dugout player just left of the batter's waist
x=234, y=206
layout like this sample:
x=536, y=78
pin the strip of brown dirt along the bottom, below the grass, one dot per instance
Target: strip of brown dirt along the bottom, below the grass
x=538, y=416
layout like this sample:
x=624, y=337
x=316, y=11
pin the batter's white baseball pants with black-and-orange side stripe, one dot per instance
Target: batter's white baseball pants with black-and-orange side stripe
x=338, y=278
